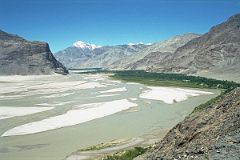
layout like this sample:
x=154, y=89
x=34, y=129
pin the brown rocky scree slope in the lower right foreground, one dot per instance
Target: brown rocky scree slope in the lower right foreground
x=211, y=133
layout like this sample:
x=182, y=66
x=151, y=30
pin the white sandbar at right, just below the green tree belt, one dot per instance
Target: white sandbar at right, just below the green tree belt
x=170, y=95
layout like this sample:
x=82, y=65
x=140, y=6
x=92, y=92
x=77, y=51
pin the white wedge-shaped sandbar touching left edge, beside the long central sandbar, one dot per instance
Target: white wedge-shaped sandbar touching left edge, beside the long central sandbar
x=9, y=112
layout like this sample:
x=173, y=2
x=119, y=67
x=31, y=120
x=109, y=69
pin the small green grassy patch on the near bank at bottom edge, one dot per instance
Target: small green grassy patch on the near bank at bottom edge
x=126, y=155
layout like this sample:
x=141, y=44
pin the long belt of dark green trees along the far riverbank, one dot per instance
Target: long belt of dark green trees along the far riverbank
x=170, y=79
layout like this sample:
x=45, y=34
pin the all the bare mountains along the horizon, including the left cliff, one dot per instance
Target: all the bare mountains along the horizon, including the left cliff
x=214, y=53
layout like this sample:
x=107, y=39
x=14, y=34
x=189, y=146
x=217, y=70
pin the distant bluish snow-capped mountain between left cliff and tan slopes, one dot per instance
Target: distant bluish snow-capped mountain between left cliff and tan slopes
x=85, y=56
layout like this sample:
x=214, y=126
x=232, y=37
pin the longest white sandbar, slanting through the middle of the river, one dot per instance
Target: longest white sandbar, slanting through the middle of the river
x=79, y=114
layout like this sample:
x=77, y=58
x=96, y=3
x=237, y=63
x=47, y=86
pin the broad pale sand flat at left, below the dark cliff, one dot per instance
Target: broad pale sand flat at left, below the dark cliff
x=18, y=90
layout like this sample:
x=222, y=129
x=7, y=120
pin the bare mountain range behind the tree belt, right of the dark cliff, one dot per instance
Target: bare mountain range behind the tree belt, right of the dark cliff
x=212, y=54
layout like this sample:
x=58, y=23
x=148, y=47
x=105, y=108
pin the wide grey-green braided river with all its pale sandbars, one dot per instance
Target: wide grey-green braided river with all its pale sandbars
x=123, y=111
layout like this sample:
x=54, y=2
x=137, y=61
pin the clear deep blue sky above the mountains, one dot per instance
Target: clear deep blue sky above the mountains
x=111, y=22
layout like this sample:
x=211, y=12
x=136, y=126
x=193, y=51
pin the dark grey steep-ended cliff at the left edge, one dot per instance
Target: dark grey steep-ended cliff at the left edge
x=22, y=57
